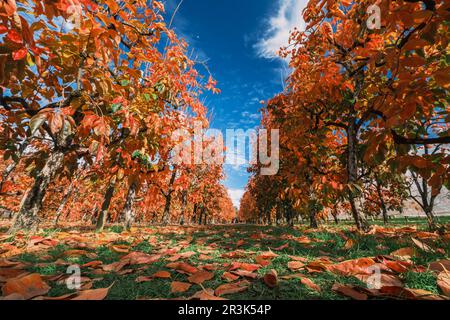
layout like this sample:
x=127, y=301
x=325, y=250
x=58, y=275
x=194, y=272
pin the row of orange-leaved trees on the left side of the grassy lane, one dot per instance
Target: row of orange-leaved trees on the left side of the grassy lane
x=91, y=92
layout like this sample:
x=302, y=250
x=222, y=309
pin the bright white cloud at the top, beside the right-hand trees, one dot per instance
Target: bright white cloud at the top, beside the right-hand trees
x=286, y=18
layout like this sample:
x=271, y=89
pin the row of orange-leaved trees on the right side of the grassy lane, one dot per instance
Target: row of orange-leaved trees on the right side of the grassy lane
x=364, y=118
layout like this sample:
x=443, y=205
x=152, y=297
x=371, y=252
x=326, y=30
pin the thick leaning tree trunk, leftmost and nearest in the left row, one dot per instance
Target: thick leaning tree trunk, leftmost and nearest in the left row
x=27, y=216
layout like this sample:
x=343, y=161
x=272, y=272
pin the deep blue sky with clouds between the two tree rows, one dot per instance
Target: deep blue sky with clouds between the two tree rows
x=238, y=39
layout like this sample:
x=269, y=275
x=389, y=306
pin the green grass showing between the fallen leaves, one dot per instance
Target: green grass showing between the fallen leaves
x=224, y=239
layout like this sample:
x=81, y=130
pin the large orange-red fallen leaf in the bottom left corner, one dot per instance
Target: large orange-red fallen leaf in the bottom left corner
x=28, y=286
